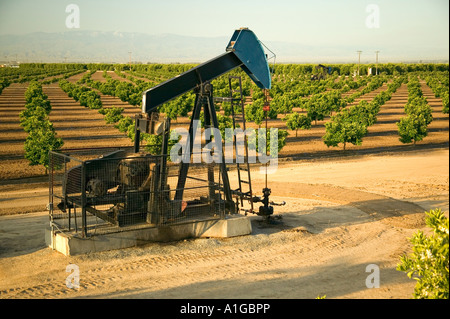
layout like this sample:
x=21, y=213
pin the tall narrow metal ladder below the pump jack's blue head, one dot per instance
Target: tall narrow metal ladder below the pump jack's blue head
x=243, y=169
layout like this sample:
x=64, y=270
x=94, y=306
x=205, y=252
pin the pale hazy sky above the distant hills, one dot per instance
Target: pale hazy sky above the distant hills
x=400, y=24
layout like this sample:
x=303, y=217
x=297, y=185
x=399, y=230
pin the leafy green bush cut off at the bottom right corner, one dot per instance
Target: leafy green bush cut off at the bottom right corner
x=428, y=263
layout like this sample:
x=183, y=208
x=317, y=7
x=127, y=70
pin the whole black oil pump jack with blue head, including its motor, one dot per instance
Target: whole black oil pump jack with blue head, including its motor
x=137, y=184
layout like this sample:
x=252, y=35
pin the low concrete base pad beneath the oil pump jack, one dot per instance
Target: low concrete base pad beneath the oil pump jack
x=71, y=245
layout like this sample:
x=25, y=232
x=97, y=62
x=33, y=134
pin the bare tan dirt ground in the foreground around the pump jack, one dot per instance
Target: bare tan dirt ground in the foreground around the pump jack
x=341, y=215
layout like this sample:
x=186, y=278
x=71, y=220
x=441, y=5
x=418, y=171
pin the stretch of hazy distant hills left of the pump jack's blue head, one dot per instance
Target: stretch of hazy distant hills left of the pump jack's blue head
x=92, y=46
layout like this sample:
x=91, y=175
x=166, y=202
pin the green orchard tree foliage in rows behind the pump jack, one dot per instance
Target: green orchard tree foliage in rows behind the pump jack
x=291, y=88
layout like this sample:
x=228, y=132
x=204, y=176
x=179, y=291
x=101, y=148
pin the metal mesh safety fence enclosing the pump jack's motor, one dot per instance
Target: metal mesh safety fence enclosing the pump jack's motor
x=121, y=190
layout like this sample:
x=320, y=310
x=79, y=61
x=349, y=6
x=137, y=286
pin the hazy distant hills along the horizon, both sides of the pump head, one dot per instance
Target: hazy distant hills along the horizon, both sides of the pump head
x=114, y=47
